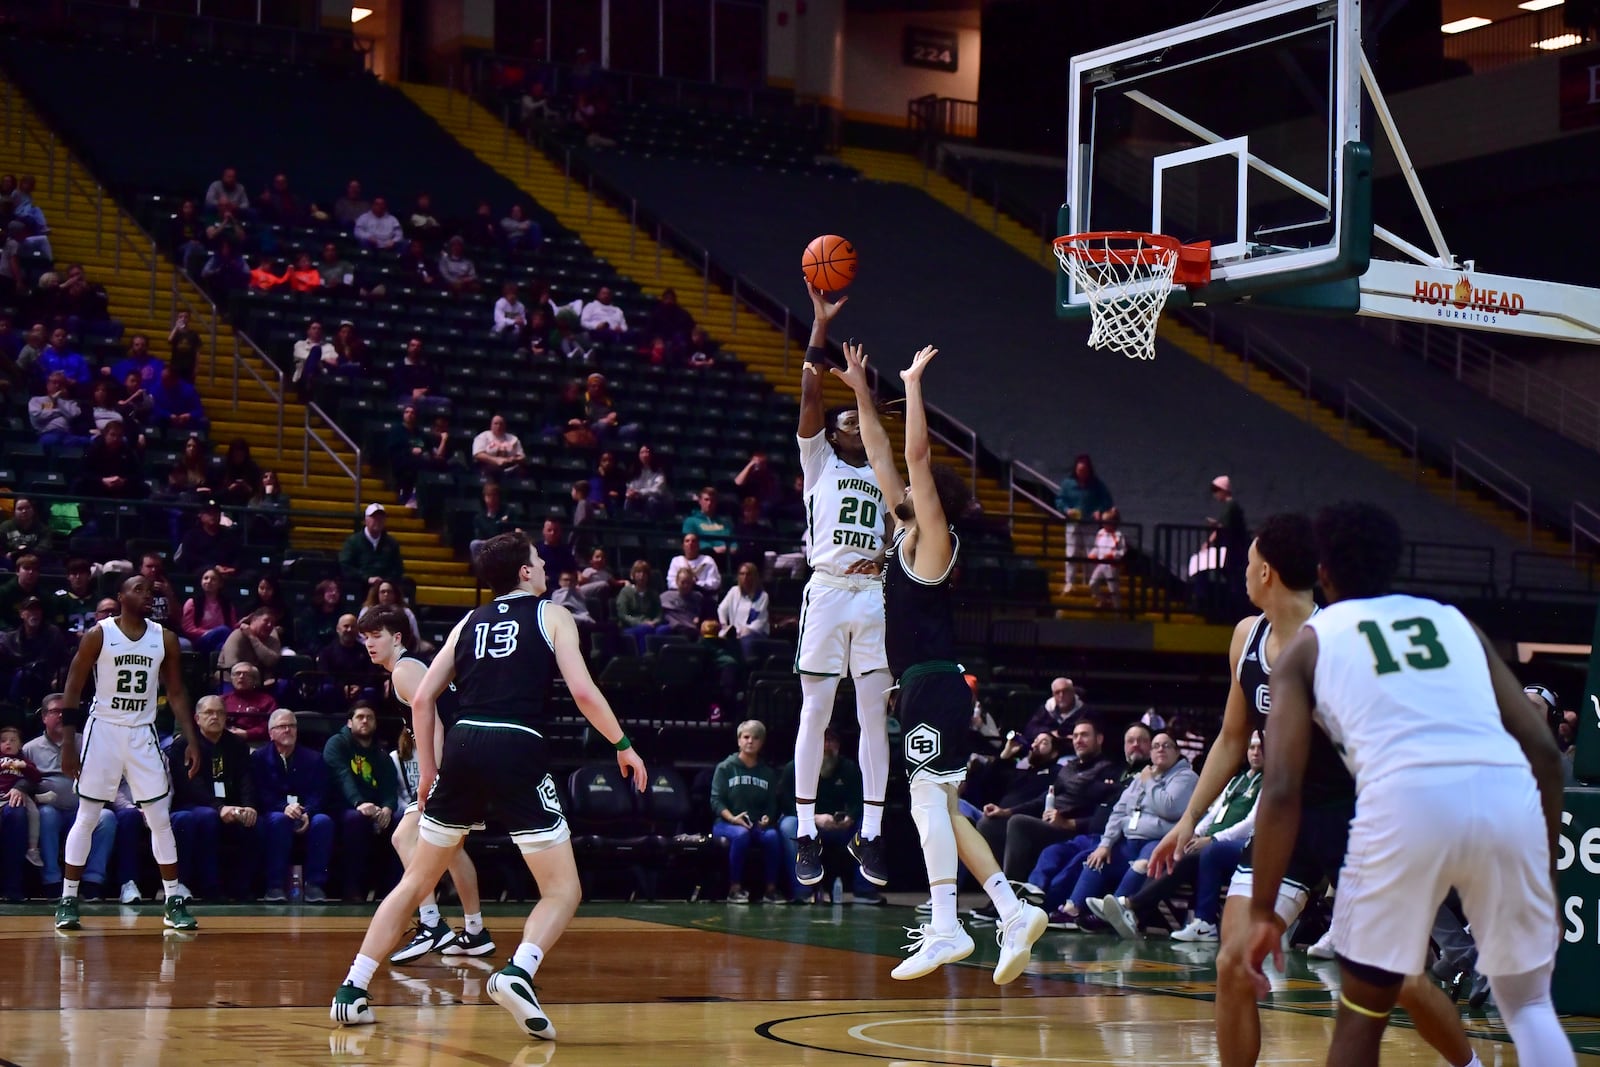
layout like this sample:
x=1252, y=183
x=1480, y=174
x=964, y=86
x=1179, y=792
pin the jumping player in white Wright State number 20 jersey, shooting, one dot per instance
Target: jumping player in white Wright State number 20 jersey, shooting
x=842, y=610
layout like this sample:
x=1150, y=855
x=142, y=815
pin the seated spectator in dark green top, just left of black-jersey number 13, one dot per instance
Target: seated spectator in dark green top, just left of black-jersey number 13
x=366, y=781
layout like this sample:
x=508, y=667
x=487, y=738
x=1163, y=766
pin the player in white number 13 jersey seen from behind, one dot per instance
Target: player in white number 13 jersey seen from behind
x=1458, y=788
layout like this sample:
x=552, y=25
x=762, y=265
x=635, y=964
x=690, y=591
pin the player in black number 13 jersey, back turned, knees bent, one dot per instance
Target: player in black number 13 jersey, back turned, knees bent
x=503, y=658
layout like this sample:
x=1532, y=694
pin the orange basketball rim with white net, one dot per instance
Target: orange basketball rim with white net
x=1127, y=279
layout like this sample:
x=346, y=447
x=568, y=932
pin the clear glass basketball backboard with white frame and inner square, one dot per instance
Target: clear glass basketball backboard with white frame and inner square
x=1236, y=130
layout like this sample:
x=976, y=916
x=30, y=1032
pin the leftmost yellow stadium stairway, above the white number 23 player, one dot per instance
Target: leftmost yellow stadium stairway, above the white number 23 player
x=322, y=503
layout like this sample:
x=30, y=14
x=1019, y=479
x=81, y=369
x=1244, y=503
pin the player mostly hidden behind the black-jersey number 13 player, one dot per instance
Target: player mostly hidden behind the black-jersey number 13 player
x=388, y=634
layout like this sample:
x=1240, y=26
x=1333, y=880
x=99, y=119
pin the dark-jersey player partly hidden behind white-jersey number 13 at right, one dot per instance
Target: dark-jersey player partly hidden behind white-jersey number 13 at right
x=1281, y=580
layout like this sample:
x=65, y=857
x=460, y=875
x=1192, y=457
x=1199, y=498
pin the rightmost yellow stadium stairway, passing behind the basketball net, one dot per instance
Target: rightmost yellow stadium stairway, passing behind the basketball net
x=908, y=170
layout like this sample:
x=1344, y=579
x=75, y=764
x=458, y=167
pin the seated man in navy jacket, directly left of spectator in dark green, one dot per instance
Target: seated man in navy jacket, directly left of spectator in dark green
x=292, y=788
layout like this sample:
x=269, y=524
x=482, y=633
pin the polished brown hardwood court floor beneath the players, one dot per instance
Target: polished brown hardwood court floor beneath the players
x=671, y=986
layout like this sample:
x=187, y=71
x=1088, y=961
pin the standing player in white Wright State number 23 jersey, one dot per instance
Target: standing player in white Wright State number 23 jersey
x=130, y=658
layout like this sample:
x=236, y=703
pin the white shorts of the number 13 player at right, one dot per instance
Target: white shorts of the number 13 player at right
x=1476, y=829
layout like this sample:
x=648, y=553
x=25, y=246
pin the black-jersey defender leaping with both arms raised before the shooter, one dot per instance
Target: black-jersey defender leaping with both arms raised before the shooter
x=935, y=706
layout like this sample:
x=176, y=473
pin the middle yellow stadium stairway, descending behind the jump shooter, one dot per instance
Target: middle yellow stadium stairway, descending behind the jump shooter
x=758, y=343
